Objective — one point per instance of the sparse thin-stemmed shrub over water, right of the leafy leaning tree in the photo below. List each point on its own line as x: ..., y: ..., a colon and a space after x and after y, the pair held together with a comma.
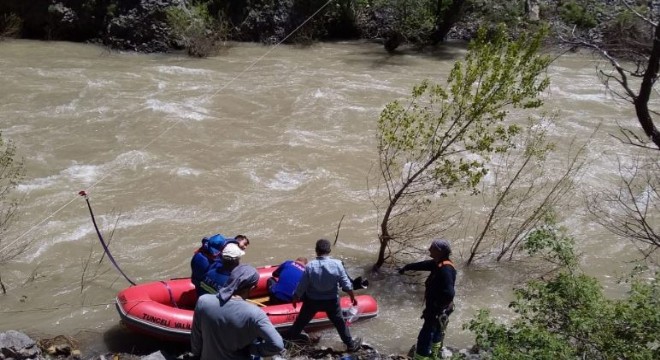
x: 523, y: 192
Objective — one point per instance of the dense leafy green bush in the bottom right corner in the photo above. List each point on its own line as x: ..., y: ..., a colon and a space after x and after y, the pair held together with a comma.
x: 568, y: 316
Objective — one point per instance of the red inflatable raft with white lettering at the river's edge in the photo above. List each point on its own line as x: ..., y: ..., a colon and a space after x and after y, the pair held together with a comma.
x: 164, y: 309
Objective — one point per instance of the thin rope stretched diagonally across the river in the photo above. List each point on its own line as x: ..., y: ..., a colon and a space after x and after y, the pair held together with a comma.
x: 167, y: 129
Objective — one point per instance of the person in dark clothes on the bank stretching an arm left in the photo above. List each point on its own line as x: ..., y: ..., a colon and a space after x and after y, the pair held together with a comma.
x: 438, y: 296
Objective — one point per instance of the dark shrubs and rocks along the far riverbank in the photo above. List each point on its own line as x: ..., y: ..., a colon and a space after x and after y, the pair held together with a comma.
x: 206, y: 27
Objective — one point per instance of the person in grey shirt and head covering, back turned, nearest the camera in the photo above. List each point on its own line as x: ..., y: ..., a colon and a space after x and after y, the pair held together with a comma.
x: 225, y: 326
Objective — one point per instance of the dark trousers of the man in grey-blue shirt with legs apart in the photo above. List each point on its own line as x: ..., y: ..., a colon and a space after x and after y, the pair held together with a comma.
x: 332, y: 309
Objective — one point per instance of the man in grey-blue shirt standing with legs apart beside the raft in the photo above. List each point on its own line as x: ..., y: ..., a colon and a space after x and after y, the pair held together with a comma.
x: 319, y: 290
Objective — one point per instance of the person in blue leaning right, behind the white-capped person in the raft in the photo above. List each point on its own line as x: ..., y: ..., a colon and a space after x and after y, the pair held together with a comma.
x: 209, y: 253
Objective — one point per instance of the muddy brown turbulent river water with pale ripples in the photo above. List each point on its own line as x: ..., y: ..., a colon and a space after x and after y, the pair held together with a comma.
x: 274, y: 143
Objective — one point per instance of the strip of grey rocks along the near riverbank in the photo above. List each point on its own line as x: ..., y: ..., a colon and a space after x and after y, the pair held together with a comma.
x: 15, y: 345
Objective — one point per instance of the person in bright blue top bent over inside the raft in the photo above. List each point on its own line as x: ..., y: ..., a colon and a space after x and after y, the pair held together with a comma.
x: 285, y: 280
